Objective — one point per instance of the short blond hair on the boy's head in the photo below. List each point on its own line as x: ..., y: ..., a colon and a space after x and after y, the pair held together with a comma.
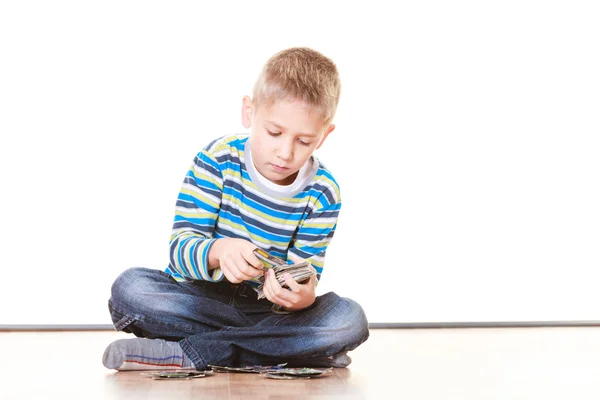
x: 300, y: 73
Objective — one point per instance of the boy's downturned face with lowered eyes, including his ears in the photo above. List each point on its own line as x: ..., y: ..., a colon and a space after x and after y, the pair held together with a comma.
x: 283, y: 136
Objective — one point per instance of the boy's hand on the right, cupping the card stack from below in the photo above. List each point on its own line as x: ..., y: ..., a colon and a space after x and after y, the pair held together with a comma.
x: 297, y: 297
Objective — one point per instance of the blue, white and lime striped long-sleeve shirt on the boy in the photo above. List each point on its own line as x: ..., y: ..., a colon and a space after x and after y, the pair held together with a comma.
x: 222, y: 197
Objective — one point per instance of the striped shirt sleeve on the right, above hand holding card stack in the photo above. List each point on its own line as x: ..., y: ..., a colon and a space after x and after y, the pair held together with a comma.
x: 315, y: 233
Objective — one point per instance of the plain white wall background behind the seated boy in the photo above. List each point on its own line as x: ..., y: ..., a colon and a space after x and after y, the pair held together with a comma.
x: 467, y: 148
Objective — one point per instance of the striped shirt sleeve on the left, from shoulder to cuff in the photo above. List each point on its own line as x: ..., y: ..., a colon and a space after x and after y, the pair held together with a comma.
x: 196, y: 211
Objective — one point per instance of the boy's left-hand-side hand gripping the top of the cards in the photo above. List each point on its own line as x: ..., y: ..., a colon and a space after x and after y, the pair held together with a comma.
x: 236, y: 258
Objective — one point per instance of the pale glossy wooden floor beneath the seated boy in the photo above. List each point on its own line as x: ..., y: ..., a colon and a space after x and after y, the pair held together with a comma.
x: 509, y: 363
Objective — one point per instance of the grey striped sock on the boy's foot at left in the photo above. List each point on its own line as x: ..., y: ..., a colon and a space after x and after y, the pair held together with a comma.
x: 145, y: 354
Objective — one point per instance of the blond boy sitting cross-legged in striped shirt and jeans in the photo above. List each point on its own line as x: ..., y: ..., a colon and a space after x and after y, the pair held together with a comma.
x: 265, y: 190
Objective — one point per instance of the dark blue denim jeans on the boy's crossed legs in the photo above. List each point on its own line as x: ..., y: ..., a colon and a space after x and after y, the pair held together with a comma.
x: 225, y: 324
